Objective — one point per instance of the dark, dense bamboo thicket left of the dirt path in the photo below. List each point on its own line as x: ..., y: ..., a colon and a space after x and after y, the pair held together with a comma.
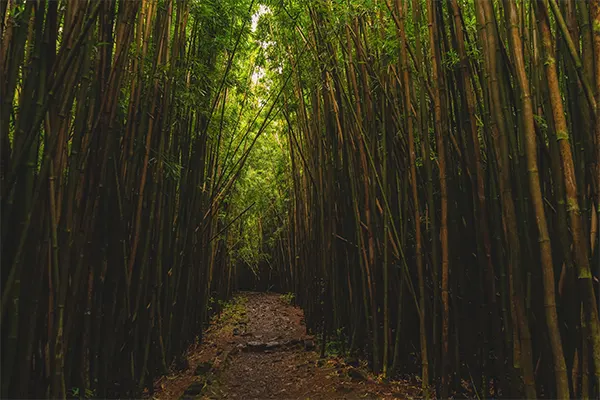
x: 112, y: 188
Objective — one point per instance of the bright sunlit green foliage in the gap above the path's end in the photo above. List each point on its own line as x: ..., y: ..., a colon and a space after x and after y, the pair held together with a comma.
x: 263, y: 183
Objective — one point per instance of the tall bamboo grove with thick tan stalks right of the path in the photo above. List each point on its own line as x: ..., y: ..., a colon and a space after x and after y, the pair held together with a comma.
x: 444, y: 163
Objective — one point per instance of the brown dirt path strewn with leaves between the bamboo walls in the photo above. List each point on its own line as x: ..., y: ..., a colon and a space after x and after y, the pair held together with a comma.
x: 257, y: 348
